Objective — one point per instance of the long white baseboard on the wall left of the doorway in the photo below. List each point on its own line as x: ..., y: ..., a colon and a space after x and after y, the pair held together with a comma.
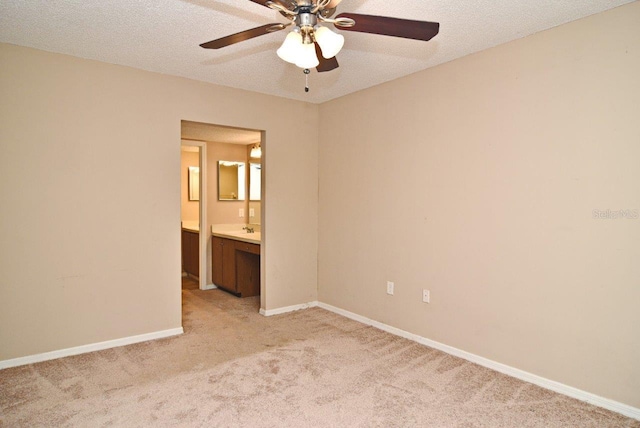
x: 30, y: 359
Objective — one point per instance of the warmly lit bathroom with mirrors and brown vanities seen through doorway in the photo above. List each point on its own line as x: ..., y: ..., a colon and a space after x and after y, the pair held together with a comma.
x: 221, y: 207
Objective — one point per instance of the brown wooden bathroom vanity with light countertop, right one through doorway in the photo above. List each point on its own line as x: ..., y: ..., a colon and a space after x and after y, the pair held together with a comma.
x: 236, y: 262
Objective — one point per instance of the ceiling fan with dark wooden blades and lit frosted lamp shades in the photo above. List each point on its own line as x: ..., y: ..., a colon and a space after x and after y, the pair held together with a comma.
x: 311, y: 45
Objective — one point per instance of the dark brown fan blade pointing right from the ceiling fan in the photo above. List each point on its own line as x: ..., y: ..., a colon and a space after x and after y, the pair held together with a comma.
x: 405, y: 28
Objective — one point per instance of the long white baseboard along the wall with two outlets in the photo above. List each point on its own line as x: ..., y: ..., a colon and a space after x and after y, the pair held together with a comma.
x: 570, y: 391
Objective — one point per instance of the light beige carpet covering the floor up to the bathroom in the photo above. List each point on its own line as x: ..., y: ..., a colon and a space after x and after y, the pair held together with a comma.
x: 312, y: 368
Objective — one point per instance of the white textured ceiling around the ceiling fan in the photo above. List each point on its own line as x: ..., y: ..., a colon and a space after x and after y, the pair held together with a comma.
x: 164, y: 36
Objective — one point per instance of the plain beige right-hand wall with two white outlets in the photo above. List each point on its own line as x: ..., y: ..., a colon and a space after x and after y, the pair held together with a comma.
x: 477, y: 180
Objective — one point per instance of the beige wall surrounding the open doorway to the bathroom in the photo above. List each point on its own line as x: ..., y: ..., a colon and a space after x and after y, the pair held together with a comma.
x: 90, y: 238
